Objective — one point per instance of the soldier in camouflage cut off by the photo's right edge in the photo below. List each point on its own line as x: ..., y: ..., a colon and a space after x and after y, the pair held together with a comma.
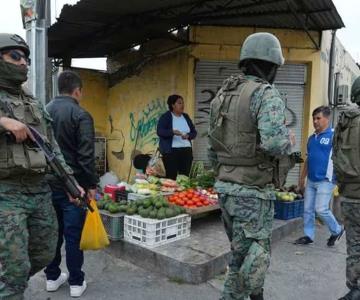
x: 349, y: 188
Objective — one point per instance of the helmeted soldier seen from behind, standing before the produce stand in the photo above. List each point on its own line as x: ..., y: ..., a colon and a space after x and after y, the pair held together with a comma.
x: 248, y: 138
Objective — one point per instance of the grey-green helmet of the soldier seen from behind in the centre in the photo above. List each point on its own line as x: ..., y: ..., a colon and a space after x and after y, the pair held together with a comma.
x: 262, y: 46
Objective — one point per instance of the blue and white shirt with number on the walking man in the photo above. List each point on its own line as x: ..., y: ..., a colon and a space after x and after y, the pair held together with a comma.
x: 319, y: 148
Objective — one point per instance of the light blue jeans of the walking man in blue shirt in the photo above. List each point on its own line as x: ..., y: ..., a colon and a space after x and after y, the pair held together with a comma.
x: 317, y: 199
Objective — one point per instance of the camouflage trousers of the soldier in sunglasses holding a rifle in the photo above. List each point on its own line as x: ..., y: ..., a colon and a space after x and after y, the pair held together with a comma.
x: 28, y: 237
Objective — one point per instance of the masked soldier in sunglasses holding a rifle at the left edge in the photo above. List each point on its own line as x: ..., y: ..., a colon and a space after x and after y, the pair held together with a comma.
x: 28, y: 231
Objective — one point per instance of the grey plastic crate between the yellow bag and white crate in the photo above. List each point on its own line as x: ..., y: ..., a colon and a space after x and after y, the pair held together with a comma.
x: 114, y: 224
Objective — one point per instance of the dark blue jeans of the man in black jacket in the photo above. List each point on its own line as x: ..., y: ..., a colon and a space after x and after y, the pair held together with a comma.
x: 71, y: 221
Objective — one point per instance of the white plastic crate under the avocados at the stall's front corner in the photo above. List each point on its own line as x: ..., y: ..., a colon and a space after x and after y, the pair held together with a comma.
x: 152, y: 233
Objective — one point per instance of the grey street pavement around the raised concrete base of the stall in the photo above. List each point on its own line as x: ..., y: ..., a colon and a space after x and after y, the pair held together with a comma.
x: 313, y: 272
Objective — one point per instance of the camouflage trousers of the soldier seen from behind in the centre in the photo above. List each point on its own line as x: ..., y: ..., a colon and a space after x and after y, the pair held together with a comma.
x: 248, y: 224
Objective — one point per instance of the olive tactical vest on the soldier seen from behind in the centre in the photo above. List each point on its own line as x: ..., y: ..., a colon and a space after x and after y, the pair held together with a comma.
x: 234, y: 136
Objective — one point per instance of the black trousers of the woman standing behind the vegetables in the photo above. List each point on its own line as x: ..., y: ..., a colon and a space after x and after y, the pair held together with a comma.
x: 178, y: 162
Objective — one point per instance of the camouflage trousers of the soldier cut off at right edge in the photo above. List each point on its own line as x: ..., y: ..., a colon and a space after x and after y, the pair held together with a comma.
x: 351, y: 213
